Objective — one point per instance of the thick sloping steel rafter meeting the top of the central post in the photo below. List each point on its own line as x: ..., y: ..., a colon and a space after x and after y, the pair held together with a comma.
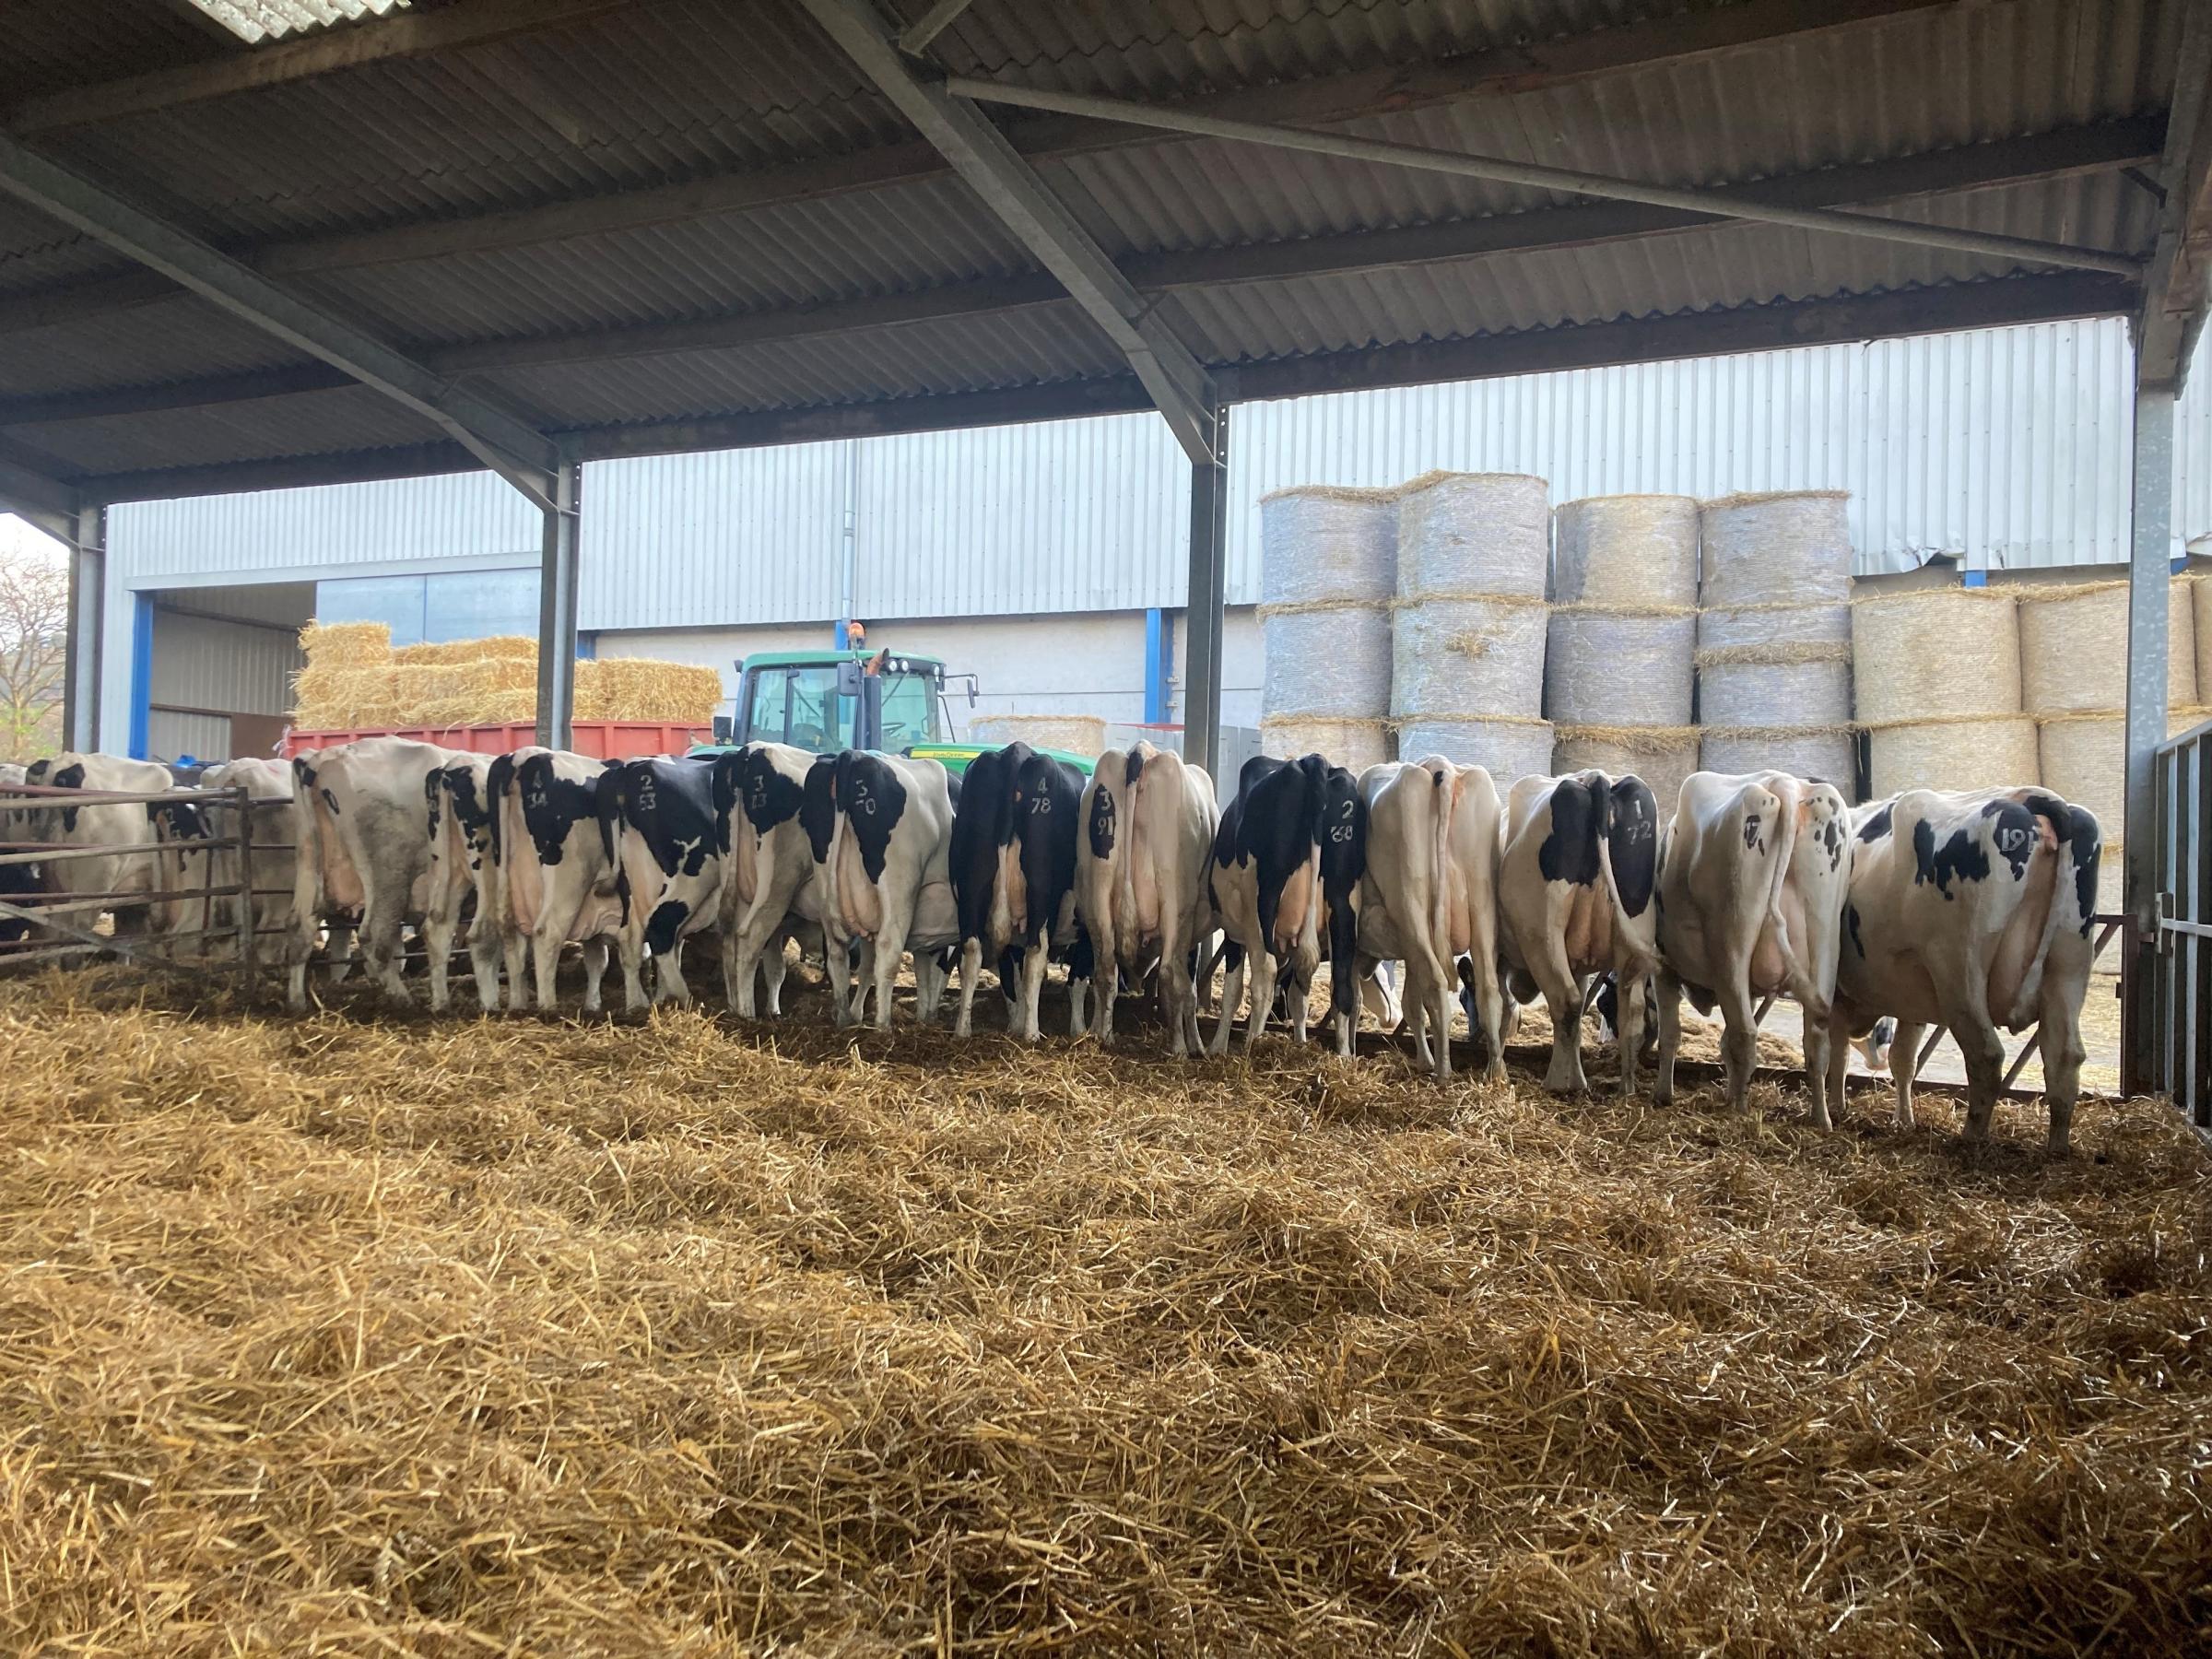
x: 1021, y: 200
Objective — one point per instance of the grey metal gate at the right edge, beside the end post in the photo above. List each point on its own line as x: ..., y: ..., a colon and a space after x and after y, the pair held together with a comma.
x: 2180, y: 1039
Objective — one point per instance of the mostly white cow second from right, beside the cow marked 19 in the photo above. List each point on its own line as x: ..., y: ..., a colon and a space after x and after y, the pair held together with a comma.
x: 1751, y: 904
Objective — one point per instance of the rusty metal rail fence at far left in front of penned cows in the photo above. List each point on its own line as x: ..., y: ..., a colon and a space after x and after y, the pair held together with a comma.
x: 154, y: 917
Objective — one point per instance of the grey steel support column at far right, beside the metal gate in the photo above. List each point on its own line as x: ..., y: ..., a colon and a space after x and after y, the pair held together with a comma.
x: 2149, y: 581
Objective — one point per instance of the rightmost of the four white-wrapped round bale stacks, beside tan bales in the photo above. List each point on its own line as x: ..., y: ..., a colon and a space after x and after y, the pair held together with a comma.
x: 1775, y: 636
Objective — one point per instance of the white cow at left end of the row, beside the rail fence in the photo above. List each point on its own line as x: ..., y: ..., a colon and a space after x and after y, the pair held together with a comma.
x: 364, y: 851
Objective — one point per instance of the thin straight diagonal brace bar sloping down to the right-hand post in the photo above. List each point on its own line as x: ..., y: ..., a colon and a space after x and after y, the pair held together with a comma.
x: 1545, y: 178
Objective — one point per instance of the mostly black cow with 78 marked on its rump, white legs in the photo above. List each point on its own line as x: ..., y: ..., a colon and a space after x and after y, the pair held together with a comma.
x: 1012, y: 866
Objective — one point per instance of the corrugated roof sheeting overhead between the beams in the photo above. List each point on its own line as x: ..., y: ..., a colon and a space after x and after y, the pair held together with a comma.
x: 669, y: 92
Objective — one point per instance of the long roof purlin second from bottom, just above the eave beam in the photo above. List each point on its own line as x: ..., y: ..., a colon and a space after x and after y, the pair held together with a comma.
x: 1976, y: 167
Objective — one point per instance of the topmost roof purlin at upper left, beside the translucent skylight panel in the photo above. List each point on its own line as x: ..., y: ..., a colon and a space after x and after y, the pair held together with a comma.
x: 408, y: 34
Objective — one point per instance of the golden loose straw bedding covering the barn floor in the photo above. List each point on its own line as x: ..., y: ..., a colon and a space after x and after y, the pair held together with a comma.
x: 510, y: 1337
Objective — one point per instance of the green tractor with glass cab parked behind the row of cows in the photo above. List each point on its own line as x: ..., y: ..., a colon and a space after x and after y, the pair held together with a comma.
x: 853, y: 700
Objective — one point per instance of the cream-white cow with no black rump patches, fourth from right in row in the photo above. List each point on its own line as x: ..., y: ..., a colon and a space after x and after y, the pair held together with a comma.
x: 1434, y: 835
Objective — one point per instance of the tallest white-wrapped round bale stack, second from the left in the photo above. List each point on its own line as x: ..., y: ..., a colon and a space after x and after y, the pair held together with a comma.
x: 1468, y: 649
